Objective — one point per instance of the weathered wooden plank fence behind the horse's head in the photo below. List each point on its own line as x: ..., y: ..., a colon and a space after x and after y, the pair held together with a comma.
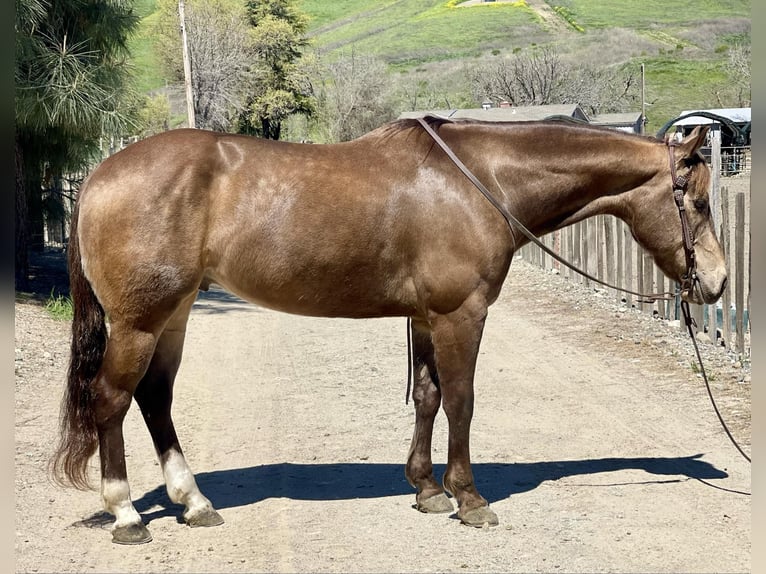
x: 604, y: 247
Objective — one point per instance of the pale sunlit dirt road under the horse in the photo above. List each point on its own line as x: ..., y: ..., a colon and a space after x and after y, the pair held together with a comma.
x: 593, y: 441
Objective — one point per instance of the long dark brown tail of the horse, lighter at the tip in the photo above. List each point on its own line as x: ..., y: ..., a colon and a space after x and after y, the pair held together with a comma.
x: 78, y: 433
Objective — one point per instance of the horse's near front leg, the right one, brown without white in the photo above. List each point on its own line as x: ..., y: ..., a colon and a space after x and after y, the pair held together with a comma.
x: 456, y: 338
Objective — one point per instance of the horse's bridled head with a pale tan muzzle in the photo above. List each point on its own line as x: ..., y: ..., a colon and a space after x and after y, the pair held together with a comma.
x: 681, y: 193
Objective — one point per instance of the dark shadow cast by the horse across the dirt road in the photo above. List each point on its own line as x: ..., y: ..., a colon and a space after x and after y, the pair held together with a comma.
x: 347, y: 481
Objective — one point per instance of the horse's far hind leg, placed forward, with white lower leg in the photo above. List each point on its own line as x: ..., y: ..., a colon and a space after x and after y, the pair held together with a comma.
x: 154, y: 396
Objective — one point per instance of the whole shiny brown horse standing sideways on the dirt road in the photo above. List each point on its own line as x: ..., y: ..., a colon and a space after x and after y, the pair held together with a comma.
x: 384, y: 225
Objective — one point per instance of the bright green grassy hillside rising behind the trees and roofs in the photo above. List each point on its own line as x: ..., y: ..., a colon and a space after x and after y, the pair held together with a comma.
x: 683, y: 44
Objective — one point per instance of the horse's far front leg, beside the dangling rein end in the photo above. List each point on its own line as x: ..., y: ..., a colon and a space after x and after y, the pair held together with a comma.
x: 427, y: 397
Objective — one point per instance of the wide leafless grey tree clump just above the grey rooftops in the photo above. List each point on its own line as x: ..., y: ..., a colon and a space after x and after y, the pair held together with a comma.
x: 542, y: 77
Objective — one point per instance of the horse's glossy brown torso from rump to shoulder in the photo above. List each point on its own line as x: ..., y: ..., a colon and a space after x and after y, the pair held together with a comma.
x: 359, y: 229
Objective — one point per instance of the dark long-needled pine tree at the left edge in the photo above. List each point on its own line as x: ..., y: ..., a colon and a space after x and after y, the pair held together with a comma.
x: 71, y: 87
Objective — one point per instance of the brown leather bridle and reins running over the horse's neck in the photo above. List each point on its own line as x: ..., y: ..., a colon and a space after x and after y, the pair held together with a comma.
x: 679, y: 184
